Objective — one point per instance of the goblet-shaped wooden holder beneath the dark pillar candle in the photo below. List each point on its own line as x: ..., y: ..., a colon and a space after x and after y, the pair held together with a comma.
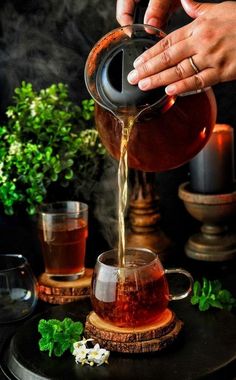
x: 216, y: 240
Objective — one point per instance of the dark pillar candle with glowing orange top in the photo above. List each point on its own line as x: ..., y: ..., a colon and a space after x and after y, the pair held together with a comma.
x: 212, y: 170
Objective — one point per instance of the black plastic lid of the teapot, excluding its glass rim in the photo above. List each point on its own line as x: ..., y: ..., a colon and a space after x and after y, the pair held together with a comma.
x: 112, y: 83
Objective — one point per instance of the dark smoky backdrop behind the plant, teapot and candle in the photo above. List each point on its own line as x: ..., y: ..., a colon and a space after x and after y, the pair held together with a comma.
x: 48, y: 41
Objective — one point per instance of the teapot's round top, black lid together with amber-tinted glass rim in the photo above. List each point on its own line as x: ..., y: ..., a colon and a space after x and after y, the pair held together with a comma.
x: 110, y: 62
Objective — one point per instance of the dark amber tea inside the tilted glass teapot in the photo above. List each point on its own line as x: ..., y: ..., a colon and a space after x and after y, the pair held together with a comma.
x: 162, y: 140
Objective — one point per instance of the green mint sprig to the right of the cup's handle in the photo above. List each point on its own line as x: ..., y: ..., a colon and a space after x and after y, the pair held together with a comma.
x: 210, y: 294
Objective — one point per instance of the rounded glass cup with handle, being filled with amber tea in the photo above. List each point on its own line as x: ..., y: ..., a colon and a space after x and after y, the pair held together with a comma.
x: 136, y: 294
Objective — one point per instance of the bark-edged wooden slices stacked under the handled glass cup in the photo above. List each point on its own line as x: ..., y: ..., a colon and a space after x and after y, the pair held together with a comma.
x: 153, y: 337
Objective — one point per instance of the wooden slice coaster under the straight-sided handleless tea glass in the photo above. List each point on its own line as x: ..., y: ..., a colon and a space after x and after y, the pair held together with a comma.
x: 55, y: 291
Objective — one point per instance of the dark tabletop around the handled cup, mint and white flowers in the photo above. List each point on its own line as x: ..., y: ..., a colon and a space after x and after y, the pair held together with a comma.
x: 205, y: 350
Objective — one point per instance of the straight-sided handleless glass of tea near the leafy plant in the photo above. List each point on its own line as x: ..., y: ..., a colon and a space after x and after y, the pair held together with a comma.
x: 63, y: 230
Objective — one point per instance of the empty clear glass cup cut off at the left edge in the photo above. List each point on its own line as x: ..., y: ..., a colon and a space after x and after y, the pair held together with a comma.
x: 18, y: 288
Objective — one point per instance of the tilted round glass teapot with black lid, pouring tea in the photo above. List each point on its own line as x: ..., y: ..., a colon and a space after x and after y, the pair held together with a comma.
x: 168, y: 131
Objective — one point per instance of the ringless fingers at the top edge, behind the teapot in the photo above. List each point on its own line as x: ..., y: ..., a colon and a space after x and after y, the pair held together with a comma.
x: 156, y: 14
